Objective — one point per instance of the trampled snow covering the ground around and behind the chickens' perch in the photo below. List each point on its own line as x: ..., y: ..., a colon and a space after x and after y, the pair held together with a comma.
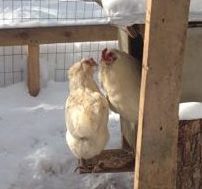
x: 33, y: 152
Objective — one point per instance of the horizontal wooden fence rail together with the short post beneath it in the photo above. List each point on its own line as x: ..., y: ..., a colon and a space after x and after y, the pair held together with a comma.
x: 35, y: 36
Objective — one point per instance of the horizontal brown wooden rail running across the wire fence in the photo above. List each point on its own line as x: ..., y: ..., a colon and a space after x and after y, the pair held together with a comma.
x: 60, y: 34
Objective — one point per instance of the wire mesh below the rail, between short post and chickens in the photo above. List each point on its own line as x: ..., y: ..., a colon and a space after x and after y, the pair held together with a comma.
x: 60, y: 56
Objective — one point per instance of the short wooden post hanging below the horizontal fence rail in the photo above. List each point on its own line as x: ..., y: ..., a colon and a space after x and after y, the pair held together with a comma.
x: 33, y: 75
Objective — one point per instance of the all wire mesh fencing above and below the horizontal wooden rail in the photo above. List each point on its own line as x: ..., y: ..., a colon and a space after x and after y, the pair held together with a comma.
x: 54, y: 58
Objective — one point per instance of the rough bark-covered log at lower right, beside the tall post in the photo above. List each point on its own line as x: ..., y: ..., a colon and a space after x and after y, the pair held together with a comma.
x: 189, y: 167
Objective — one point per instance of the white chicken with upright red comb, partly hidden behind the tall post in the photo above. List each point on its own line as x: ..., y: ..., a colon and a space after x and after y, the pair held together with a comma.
x: 120, y: 78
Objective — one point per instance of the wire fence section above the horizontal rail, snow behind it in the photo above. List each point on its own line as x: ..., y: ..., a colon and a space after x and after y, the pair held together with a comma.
x: 21, y: 12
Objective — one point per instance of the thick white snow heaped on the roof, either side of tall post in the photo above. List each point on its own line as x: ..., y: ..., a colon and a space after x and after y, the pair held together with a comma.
x: 128, y: 12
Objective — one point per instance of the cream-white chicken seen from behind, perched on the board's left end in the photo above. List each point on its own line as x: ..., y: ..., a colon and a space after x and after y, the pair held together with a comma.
x: 86, y: 112
